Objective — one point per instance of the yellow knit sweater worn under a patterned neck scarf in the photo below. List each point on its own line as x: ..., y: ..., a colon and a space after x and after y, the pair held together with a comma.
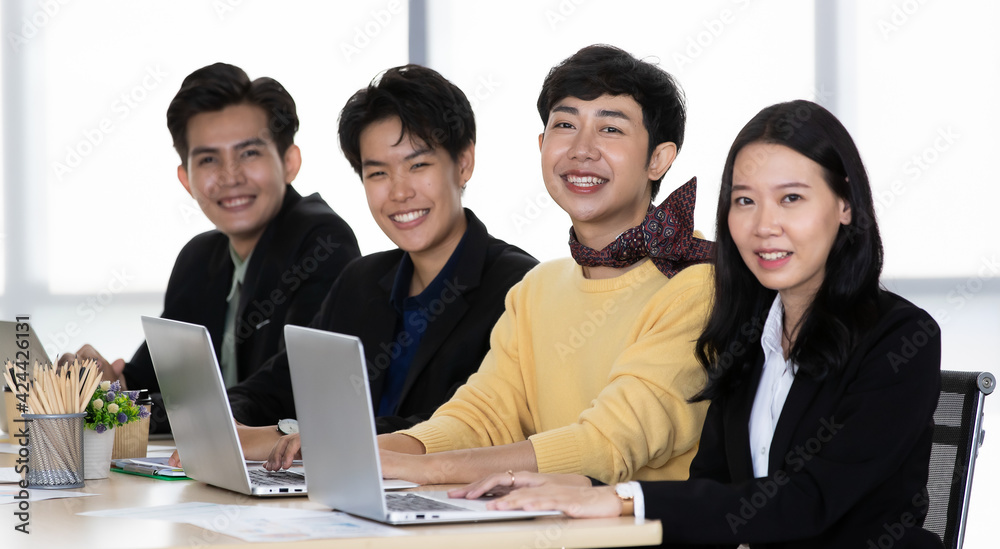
x: 596, y: 373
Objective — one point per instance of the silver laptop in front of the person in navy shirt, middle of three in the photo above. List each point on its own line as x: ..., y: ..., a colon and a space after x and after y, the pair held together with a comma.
x: 194, y: 396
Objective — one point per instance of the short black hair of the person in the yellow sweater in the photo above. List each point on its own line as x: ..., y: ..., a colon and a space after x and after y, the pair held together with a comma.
x: 601, y: 69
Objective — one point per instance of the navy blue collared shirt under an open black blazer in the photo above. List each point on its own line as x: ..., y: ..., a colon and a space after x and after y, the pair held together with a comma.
x: 414, y: 315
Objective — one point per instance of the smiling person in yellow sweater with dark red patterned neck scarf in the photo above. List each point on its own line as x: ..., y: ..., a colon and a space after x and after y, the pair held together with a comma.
x: 591, y: 366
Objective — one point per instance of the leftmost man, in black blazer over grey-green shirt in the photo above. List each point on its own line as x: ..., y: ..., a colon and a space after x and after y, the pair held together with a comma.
x: 273, y: 254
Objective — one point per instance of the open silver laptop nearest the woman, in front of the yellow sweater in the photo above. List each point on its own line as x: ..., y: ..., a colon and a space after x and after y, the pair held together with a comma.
x: 339, y: 447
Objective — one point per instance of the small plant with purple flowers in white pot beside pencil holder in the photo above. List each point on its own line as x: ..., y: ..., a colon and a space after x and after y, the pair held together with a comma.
x: 110, y: 407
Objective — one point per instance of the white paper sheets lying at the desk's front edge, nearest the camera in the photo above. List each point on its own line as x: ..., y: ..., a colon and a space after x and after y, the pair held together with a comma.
x: 258, y: 522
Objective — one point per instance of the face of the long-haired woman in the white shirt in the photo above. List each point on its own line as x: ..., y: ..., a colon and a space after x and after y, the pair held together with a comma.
x: 784, y: 219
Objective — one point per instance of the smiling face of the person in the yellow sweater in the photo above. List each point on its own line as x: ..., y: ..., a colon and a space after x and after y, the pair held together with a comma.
x: 594, y: 163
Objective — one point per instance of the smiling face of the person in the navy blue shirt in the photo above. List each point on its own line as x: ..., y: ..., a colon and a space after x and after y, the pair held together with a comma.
x: 414, y: 192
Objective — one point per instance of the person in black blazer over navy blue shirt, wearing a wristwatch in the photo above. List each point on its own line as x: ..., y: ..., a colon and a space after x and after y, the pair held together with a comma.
x: 424, y: 312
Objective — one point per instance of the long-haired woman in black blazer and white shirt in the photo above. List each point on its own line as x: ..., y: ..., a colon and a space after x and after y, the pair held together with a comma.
x: 823, y: 385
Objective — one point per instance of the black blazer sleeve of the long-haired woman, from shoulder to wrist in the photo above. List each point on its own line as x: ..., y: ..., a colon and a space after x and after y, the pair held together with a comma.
x: 872, y: 429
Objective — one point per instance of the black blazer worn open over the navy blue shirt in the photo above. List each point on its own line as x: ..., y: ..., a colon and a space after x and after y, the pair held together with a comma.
x: 360, y: 304
